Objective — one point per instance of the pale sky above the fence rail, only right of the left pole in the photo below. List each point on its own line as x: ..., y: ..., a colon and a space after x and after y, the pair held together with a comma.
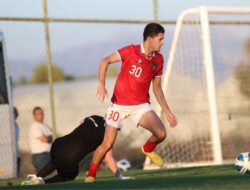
x: 138, y: 9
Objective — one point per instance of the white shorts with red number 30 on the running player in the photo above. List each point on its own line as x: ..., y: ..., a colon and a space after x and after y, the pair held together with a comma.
x: 117, y: 113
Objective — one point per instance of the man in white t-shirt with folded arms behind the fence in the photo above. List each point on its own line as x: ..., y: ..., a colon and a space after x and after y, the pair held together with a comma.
x: 40, y: 138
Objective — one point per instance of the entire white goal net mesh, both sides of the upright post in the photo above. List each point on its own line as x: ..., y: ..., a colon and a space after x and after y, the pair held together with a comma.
x: 186, y: 92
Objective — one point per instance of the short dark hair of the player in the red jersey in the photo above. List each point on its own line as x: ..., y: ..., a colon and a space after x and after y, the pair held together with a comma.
x: 152, y: 29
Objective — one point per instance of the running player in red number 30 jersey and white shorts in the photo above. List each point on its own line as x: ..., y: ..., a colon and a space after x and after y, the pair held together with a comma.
x: 141, y: 65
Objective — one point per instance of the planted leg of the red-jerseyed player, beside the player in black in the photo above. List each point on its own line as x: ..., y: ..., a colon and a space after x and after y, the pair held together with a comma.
x: 108, y: 141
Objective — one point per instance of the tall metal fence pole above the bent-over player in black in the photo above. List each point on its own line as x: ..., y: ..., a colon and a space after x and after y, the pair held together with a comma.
x: 49, y: 64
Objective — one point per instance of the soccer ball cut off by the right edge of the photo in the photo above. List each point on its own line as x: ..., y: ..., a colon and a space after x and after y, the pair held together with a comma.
x: 242, y: 163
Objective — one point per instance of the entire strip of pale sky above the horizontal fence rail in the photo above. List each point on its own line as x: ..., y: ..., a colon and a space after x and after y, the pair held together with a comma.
x: 138, y: 9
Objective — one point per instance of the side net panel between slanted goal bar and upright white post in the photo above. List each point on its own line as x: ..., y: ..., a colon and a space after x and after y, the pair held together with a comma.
x: 187, y: 95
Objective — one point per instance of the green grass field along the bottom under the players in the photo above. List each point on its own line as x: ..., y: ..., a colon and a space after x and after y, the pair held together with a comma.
x: 212, y: 177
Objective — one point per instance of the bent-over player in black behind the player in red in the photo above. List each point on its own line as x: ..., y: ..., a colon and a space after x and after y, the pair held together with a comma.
x: 67, y: 151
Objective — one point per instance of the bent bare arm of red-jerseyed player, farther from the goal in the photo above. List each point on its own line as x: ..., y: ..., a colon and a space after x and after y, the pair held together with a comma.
x: 102, y: 92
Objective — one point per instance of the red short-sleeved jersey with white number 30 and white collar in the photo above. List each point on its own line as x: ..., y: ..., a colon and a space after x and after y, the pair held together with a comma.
x: 137, y: 71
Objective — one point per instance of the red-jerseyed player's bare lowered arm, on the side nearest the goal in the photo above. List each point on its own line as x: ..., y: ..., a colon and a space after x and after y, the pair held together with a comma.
x: 162, y: 101
